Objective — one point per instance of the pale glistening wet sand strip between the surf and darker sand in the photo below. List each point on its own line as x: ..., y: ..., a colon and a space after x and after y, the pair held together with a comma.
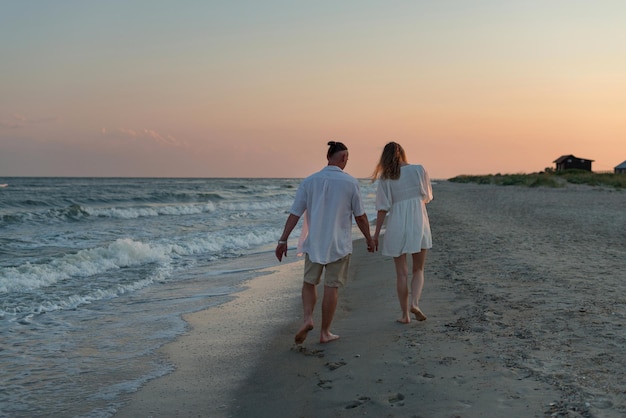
x: 222, y: 344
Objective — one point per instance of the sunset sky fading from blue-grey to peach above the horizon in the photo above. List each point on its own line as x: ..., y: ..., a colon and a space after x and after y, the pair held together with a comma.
x: 257, y: 88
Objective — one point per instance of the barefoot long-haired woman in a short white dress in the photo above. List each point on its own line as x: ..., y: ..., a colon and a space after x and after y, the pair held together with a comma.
x: 403, y: 191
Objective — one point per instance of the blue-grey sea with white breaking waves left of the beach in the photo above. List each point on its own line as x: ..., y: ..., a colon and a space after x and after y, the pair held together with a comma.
x: 96, y: 273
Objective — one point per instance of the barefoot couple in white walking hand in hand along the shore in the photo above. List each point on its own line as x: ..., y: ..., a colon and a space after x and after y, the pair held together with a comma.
x: 329, y: 199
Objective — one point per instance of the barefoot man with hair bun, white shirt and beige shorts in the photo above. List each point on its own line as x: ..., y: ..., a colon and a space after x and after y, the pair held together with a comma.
x: 328, y: 199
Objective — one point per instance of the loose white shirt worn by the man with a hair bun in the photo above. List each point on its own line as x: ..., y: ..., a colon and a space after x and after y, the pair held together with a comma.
x: 328, y: 199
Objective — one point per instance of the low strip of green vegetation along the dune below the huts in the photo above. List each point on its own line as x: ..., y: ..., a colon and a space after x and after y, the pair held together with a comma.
x: 548, y: 178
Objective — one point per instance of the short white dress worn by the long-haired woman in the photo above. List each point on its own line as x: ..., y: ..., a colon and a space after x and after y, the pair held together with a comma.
x: 407, y: 229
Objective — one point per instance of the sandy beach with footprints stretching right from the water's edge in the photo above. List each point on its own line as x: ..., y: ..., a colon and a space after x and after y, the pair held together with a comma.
x: 526, y: 303
